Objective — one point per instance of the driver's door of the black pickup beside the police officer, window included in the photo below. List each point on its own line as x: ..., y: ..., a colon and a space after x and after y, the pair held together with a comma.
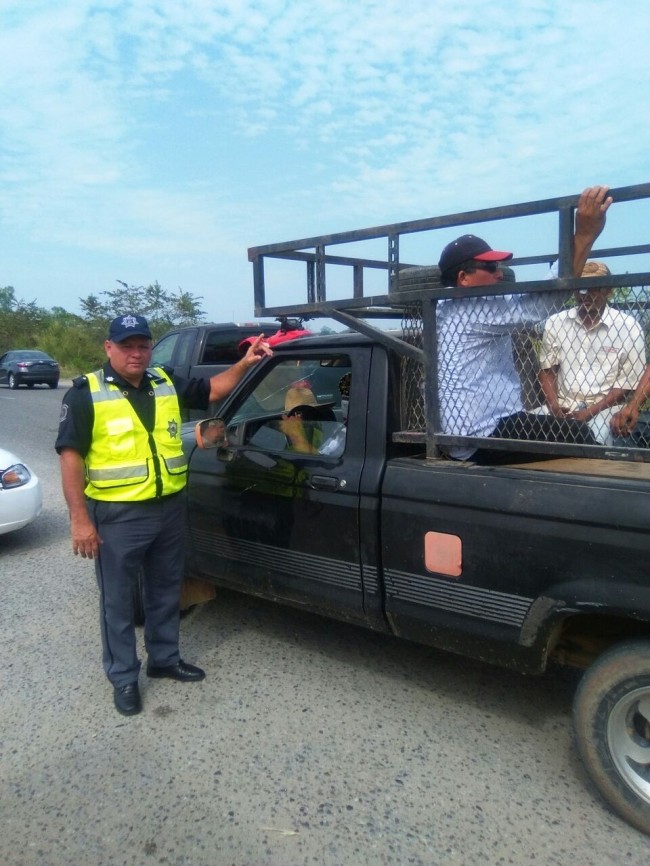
x: 275, y: 511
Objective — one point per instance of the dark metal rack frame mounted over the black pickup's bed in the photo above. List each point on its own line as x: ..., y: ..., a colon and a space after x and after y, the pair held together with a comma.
x: 353, y: 311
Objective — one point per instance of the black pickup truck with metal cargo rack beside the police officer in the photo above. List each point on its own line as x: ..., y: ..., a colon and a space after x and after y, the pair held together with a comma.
x: 517, y: 564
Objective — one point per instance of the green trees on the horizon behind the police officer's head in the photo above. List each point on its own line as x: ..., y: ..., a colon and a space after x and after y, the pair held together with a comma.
x: 76, y: 340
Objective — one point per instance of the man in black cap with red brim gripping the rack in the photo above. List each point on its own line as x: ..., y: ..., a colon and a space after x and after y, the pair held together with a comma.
x: 479, y: 388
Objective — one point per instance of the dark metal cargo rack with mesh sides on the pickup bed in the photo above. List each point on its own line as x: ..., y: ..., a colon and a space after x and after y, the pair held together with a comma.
x: 413, y: 290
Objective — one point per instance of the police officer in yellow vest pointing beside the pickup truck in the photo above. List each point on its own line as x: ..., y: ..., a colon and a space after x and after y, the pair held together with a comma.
x: 123, y: 472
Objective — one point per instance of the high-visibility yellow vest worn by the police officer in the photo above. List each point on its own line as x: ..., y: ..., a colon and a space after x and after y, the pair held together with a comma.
x: 126, y: 463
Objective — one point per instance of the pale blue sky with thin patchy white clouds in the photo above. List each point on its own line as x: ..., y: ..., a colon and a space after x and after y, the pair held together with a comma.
x: 146, y: 140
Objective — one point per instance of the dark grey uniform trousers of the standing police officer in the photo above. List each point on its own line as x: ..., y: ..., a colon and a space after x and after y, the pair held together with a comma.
x: 139, y: 535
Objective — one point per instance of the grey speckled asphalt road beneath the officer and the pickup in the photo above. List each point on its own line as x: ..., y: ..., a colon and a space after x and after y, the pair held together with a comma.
x: 310, y: 741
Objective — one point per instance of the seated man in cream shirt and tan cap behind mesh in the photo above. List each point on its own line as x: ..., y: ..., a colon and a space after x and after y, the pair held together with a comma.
x: 592, y: 357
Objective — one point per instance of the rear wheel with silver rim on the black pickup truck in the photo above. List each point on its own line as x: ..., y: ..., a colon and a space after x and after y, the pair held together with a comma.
x: 611, y: 717
